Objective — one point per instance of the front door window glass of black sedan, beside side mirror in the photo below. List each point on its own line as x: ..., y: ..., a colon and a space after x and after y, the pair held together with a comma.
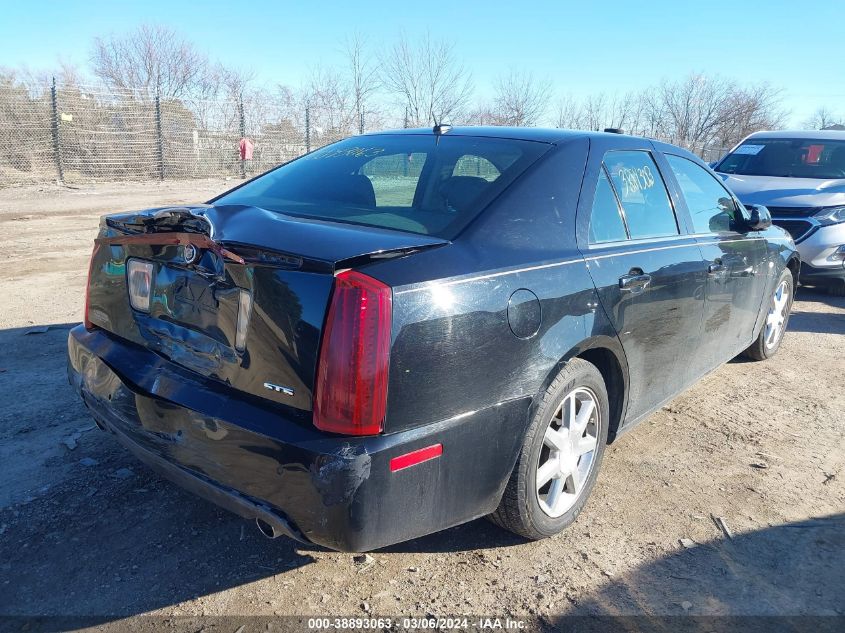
x: 710, y: 205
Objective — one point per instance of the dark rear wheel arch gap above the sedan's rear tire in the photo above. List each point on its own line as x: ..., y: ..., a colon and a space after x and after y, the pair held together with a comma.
x: 607, y: 355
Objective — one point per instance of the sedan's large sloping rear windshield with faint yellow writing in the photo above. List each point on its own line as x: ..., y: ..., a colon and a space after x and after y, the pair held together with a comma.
x: 422, y: 184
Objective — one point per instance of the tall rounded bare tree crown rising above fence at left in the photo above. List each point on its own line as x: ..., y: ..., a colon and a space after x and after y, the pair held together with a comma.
x: 150, y: 58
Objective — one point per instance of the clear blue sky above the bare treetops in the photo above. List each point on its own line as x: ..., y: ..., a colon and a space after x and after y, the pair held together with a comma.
x: 582, y: 47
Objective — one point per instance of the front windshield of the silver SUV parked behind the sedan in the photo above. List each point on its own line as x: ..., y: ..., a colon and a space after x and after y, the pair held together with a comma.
x: 796, y: 158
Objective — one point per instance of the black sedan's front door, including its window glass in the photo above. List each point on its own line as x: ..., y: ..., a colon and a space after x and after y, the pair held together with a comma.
x: 735, y: 260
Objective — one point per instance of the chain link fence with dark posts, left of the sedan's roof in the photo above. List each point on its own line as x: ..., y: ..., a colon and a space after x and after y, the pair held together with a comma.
x: 77, y: 134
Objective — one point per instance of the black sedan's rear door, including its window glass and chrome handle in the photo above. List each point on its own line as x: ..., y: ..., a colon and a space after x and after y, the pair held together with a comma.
x: 649, y: 273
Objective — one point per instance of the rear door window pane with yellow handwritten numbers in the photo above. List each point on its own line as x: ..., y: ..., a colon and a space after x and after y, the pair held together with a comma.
x: 643, y: 194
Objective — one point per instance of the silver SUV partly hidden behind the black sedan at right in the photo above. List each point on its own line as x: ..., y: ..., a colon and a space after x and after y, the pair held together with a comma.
x: 800, y: 177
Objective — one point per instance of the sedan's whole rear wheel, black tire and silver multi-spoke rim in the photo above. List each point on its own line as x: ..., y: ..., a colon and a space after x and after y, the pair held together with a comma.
x: 560, y: 457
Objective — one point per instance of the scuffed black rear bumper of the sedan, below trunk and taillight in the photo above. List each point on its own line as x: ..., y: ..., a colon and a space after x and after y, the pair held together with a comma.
x: 256, y: 461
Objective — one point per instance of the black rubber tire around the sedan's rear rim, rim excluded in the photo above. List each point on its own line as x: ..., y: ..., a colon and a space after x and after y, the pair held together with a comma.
x: 519, y: 510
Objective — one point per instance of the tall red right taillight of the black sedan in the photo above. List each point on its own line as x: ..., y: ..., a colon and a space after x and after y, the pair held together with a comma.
x: 351, y: 389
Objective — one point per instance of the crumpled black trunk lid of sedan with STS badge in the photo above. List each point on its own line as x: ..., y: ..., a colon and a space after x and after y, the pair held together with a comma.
x: 209, y: 267
